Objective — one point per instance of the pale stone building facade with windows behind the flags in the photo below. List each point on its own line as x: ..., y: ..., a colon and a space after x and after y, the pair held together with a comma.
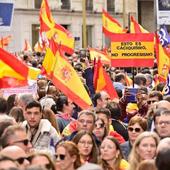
x: 68, y: 13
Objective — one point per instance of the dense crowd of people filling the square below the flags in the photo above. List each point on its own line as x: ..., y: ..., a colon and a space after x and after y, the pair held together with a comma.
x: 49, y: 131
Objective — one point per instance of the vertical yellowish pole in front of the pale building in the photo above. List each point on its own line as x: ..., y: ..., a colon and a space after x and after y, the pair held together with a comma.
x: 84, y: 23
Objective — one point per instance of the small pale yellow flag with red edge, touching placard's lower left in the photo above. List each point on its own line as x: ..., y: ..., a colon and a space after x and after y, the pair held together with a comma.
x: 96, y: 54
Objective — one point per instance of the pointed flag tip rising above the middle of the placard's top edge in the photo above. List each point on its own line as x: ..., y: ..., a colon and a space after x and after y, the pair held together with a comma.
x: 135, y: 27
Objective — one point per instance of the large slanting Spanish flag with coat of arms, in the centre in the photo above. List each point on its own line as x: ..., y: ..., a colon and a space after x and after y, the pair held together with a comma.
x: 67, y: 80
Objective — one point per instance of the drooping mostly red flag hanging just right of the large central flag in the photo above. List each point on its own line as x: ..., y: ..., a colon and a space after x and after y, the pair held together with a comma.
x: 102, y: 81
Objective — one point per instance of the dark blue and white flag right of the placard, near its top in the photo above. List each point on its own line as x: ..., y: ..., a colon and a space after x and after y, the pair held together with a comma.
x: 164, y: 37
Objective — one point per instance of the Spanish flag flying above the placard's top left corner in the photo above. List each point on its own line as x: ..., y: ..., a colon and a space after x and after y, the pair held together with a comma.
x: 110, y: 25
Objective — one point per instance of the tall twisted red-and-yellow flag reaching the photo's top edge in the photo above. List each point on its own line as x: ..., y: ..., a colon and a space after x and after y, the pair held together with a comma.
x: 52, y: 29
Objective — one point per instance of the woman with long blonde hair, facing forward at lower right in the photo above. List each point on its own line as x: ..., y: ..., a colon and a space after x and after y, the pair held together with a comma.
x: 144, y: 148
